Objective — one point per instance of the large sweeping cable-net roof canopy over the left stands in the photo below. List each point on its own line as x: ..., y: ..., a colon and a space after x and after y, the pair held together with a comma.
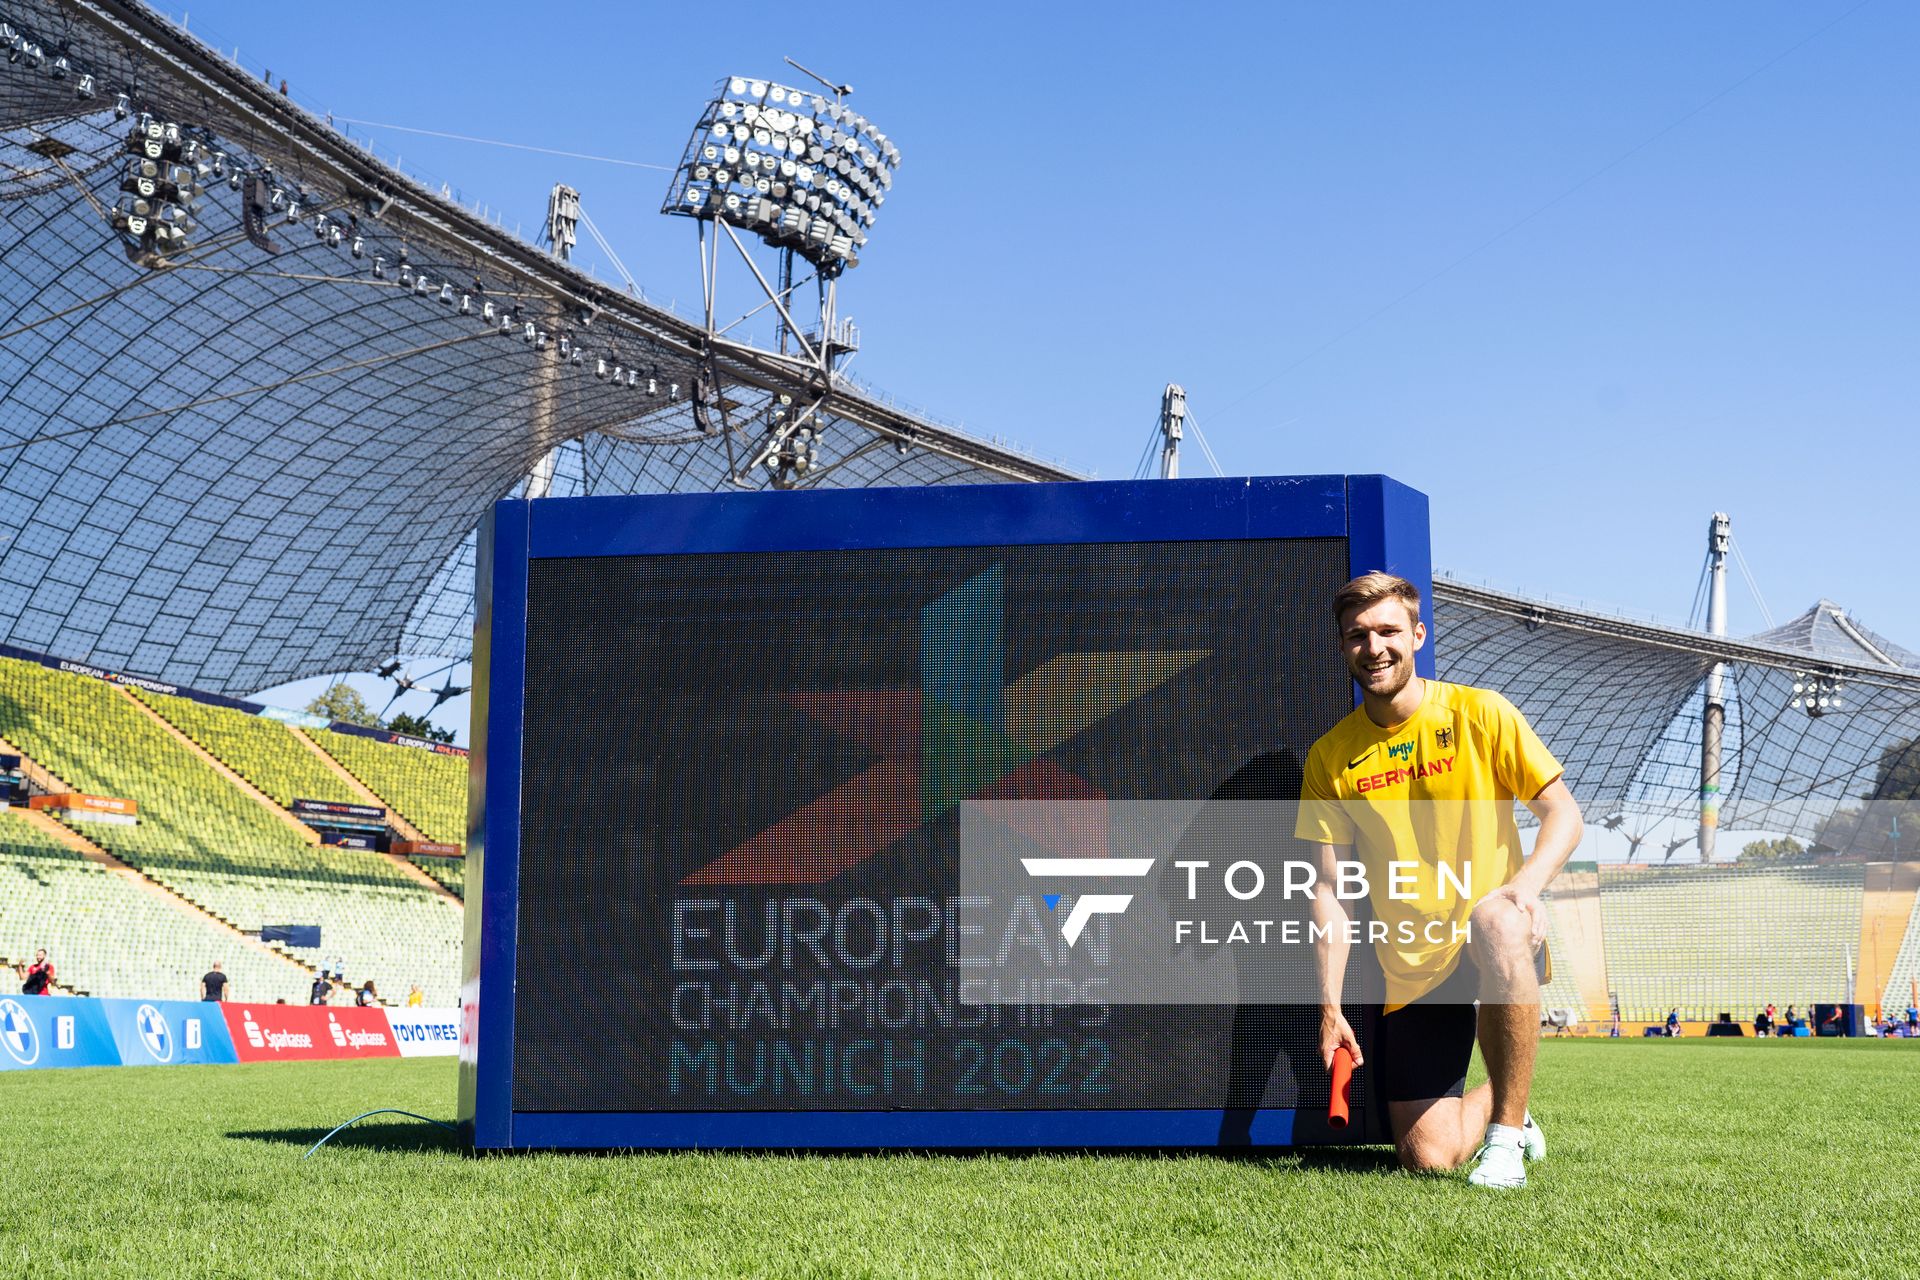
x: 266, y: 456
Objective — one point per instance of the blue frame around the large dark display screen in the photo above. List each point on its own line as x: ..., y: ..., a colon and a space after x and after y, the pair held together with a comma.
x: 1383, y: 521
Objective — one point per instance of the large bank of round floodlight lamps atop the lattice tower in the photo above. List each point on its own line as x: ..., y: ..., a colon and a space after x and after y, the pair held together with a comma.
x: 804, y: 172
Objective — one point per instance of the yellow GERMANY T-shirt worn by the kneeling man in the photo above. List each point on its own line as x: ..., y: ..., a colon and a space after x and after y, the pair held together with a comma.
x: 1428, y: 805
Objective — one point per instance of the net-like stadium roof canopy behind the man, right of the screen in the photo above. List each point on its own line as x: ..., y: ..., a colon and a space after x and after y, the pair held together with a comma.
x: 1623, y: 705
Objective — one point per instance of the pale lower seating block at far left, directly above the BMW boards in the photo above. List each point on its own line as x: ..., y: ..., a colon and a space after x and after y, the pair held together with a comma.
x: 110, y: 937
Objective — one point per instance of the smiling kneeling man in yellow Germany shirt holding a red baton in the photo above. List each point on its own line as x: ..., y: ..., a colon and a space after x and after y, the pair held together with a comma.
x: 1420, y: 784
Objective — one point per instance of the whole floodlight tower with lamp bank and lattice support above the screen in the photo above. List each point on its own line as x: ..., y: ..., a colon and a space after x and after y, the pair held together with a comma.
x: 804, y: 174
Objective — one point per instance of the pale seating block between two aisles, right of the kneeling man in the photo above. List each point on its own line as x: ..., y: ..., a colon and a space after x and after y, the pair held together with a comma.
x: 1729, y: 937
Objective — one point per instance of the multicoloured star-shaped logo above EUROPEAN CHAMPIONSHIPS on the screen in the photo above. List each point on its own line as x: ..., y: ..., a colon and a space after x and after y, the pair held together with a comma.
x: 965, y: 734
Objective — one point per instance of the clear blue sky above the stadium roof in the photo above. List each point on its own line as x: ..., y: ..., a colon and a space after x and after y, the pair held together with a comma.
x: 1270, y: 204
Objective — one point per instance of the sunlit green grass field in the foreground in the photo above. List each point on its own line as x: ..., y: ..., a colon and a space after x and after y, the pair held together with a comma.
x: 1668, y: 1160
